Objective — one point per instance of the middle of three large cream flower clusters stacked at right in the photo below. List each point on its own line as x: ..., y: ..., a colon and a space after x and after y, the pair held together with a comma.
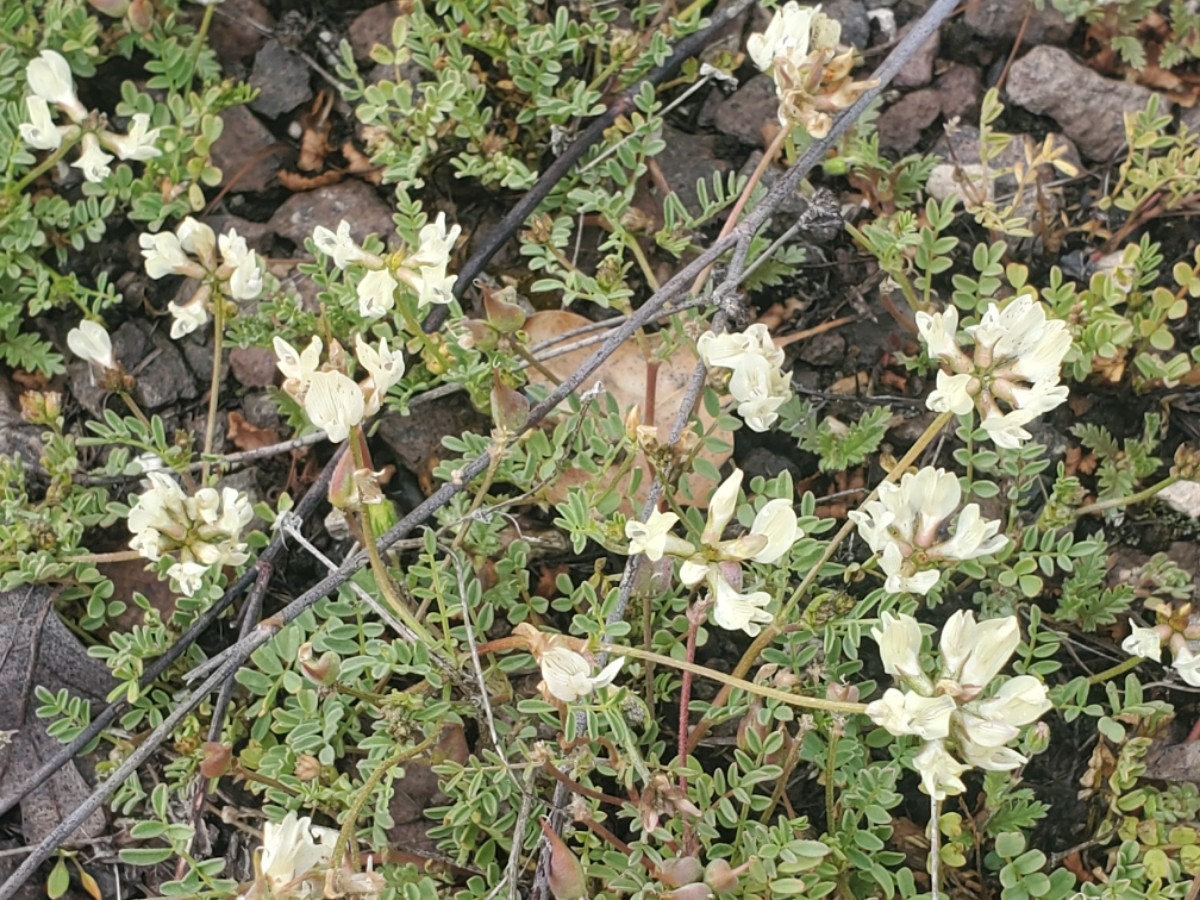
x: 904, y: 527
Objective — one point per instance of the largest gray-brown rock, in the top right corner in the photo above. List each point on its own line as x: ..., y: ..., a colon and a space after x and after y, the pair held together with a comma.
x: 1088, y: 107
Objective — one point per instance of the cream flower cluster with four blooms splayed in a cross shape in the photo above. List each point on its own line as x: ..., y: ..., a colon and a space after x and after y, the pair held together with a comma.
x: 718, y: 563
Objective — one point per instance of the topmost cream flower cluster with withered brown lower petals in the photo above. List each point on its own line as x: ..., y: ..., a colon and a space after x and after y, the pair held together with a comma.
x: 800, y: 51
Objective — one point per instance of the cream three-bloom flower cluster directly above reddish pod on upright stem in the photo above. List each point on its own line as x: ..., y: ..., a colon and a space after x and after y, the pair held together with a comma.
x: 335, y: 404
